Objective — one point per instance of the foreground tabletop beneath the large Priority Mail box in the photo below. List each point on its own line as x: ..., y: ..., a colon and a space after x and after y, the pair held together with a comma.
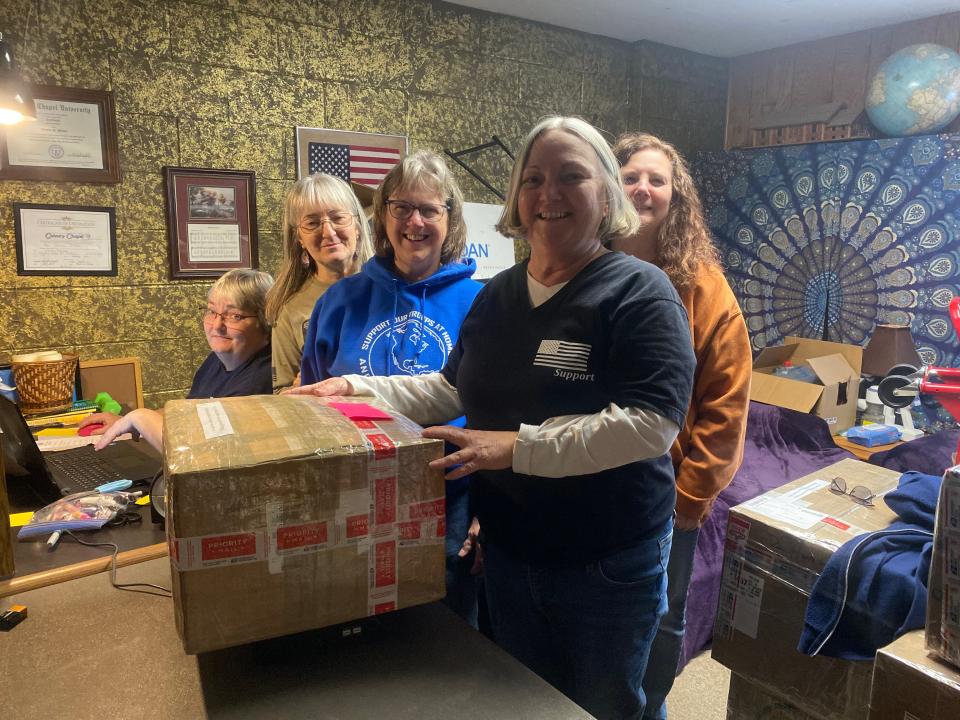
x: 87, y: 650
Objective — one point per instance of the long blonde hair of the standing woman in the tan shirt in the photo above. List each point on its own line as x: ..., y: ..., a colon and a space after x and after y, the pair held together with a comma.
x: 312, y: 191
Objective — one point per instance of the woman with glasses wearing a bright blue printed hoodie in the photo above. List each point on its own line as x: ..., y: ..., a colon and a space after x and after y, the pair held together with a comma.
x: 401, y: 314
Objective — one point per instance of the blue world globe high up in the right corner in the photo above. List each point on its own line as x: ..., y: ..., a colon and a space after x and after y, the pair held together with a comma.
x: 915, y: 91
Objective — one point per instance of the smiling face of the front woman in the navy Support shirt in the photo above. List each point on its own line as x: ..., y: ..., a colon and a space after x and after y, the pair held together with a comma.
x: 562, y: 199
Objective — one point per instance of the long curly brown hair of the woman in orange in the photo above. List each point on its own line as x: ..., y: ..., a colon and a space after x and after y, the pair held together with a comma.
x: 683, y: 242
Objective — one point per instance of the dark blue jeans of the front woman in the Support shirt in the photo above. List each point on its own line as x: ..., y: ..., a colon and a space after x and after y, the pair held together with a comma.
x: 586, y: 628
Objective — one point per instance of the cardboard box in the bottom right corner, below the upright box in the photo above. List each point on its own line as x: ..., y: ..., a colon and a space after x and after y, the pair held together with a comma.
x: 908, y: 684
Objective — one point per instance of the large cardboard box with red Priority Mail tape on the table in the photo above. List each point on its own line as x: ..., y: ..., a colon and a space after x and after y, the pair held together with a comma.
x: 284, y: 515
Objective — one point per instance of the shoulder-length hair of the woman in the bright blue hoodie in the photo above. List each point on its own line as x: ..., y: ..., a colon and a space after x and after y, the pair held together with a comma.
x: 422, y: 170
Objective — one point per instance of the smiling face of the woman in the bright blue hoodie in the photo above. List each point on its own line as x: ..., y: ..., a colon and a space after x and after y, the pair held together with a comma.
x: 416, y: 243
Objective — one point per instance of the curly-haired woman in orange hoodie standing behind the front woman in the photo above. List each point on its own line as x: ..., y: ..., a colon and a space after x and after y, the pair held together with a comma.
x: 709, y: 449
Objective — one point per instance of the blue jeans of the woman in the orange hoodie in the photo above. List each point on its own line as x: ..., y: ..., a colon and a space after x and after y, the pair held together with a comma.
x: 668, y: 644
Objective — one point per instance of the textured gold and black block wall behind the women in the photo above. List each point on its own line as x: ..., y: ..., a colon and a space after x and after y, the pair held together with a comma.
x: 224, y: 83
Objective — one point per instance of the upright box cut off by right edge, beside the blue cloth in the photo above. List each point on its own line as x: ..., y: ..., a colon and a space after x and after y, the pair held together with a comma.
x: 943, y: 596
